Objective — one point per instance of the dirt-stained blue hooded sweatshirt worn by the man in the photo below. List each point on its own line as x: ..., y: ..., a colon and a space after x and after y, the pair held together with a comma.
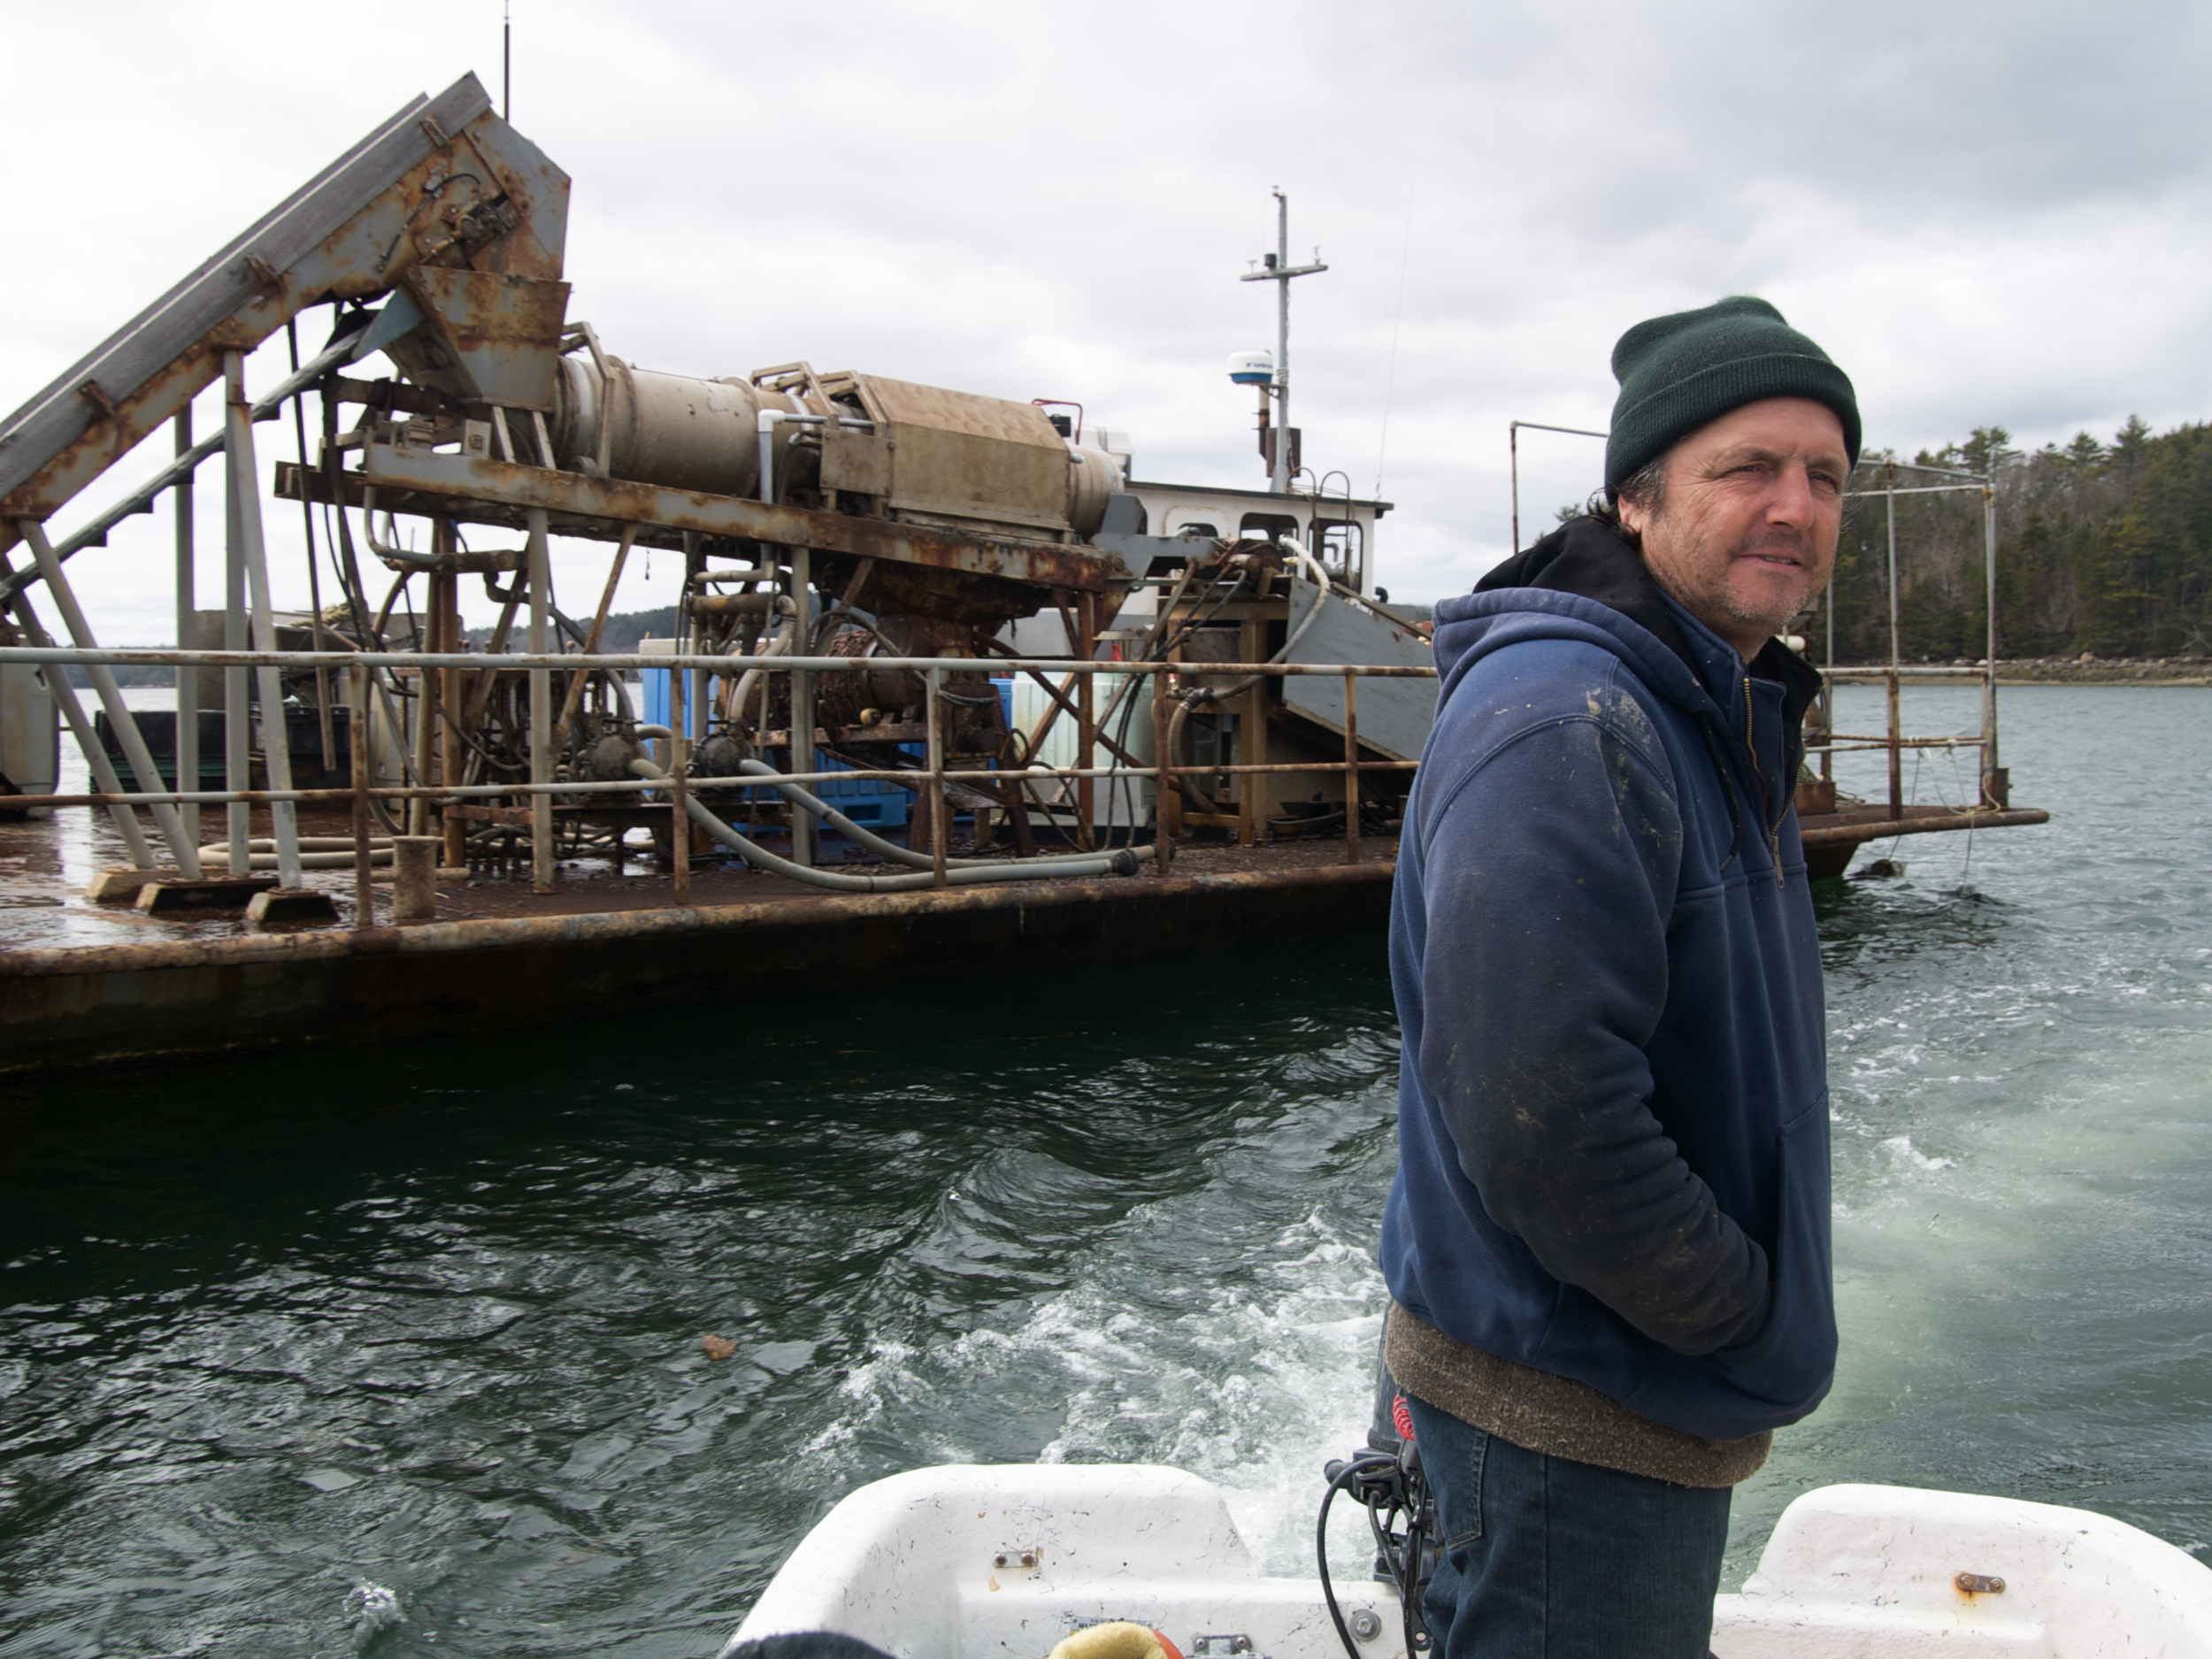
x: 1614, y: 1085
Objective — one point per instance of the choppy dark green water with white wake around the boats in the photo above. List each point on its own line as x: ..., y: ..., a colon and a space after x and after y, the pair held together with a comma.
x: 399, y: 1350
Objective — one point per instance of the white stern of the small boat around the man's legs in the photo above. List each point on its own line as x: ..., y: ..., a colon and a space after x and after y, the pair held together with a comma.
x: 1001, y: 1563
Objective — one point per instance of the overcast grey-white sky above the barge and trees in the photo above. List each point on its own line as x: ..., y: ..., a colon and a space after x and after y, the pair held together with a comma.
x: 1985, y: 213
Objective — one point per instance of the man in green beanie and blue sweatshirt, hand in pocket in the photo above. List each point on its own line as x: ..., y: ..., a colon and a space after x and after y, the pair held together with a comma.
x: 1609, y: 1238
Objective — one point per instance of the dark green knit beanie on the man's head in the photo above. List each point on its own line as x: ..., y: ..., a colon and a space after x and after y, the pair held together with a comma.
x: 1678, y: 373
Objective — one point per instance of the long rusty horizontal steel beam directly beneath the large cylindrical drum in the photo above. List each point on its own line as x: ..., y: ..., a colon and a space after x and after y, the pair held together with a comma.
x: 614, y: 503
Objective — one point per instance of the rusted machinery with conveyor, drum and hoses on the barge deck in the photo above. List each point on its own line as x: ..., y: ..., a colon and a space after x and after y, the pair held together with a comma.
x: 820, y: 517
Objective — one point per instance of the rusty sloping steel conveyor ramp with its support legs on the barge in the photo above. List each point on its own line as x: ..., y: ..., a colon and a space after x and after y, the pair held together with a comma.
x: 444, y: 207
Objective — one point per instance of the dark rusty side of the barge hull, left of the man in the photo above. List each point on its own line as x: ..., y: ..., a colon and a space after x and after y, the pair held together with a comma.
x: 74, y: 1008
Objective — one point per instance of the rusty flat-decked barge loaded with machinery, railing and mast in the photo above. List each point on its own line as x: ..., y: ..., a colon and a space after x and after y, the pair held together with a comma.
x: 950, y: 689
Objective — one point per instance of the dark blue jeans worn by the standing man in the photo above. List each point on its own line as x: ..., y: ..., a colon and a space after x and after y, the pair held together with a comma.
x: 1550, y: 1558
